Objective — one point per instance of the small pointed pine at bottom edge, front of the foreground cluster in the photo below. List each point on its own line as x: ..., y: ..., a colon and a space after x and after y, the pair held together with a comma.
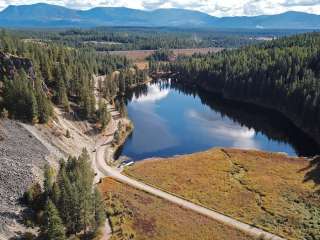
x: 54, y: 226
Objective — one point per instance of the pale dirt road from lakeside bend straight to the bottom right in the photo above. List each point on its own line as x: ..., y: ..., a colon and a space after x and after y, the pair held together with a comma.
x: 105, y: 170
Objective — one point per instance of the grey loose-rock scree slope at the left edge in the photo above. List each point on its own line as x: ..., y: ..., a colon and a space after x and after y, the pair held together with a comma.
x: 21, y: 156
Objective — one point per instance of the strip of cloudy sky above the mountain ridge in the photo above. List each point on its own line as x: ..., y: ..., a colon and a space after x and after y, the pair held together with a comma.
x: 213, y: 7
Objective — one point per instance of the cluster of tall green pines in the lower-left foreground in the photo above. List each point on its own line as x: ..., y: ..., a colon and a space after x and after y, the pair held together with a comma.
x: 68, y: 205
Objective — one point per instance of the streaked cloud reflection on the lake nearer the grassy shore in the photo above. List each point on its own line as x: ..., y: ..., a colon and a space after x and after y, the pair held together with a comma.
x: 224, y: 129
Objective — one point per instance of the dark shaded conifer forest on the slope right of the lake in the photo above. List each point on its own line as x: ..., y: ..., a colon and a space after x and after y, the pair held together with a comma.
x: 281, y: 74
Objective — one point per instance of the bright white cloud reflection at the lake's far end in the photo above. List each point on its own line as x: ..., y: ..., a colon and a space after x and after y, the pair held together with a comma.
x: 154, y: 94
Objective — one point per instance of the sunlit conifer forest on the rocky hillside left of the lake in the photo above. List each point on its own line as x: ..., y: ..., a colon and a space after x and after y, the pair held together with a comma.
x: 34, y: 75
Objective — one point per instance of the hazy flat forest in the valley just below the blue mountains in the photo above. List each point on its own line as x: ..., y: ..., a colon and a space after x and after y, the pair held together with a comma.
x: 121, y: 38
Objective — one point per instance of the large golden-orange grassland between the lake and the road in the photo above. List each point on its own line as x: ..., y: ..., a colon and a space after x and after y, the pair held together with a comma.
x: 267, y: 190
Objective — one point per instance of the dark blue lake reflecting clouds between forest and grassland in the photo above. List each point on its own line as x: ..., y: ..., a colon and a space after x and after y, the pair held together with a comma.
x: 171, y: 120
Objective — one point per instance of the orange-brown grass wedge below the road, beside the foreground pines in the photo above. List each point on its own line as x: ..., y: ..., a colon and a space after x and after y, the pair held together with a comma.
x: 153, y: 218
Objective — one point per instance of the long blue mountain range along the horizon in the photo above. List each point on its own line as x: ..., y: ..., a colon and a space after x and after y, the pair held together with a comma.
x: 46, y: 15
